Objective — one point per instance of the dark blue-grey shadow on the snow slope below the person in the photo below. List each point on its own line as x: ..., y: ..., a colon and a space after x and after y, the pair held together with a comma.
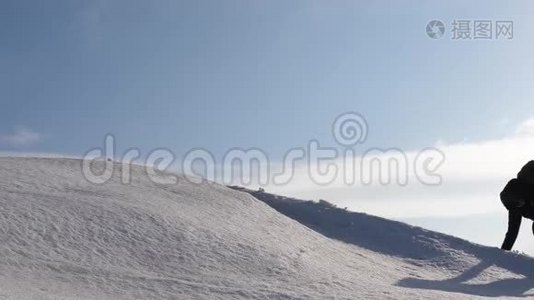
x: 413, y: 244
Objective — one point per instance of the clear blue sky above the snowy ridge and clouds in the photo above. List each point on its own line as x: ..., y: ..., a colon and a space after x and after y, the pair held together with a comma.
x: 267, y: 74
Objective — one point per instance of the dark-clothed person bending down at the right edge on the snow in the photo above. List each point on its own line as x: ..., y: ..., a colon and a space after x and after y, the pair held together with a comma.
x: 518, y: 197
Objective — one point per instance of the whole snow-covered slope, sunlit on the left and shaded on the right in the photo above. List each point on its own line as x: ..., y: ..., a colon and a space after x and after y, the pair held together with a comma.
x: 62, y: 237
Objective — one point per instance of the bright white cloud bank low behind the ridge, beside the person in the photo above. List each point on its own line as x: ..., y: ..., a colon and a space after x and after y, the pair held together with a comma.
x: 473, y: 174
